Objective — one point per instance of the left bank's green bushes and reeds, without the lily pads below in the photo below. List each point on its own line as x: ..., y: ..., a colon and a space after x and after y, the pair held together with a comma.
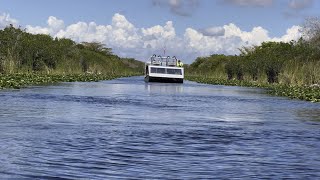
x: 22, y: 52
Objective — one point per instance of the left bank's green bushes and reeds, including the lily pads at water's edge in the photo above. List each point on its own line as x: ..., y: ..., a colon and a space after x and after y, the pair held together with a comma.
x: 31, y: 59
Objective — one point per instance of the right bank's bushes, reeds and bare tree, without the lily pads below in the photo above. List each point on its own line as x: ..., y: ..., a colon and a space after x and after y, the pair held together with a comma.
x: 292, y: 63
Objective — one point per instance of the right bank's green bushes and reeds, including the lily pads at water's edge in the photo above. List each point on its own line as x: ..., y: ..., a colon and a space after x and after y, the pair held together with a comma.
x: 286, y: 69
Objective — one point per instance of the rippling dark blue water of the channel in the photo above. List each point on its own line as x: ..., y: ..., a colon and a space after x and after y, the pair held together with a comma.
x: 126, y: 128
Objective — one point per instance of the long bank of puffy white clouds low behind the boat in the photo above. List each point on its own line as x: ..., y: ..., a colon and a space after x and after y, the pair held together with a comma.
x: 127, y: 40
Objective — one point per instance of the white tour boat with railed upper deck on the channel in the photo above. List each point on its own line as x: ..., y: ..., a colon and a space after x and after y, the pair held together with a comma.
x: 163, y: 69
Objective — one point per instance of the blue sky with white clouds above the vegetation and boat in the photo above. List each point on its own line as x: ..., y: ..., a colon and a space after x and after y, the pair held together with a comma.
x: 186, y: 29
